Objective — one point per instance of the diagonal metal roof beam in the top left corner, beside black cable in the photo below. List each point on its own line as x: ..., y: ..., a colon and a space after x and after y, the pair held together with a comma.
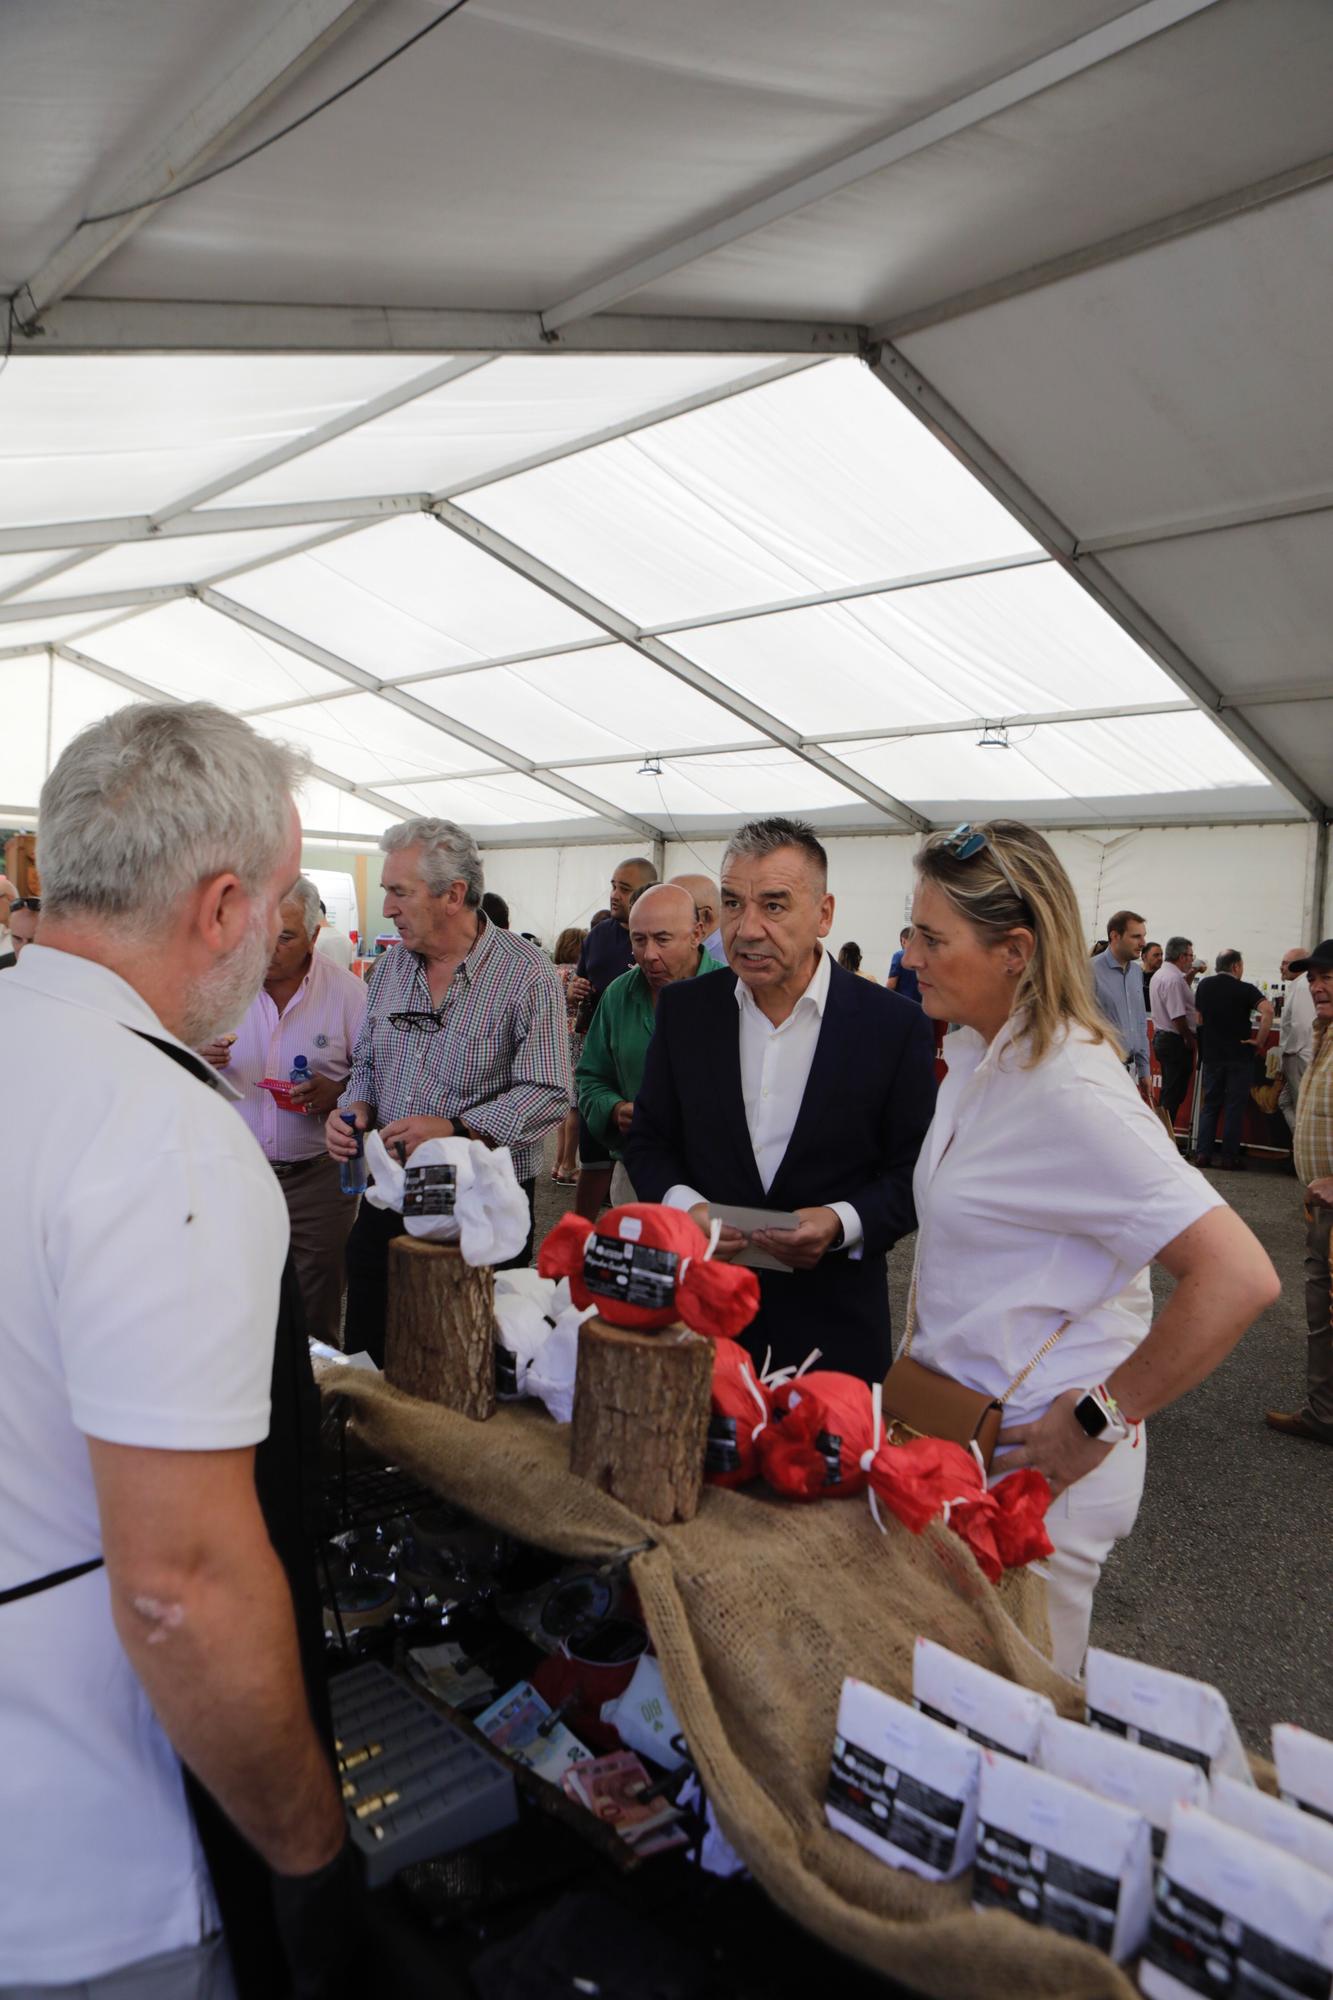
x: 291, y: 45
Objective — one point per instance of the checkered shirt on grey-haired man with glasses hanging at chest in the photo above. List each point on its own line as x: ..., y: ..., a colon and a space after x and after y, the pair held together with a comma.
x: 499, y: 1061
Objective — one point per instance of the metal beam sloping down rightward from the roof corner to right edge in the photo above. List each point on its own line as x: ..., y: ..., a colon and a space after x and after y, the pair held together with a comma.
x: 1090, y: 573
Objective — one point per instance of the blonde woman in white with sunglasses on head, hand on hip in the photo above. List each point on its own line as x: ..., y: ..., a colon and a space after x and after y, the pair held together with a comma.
x: 1044, y: 1193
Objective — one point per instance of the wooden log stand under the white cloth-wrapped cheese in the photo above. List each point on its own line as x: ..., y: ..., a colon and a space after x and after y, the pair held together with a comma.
x: 439, y: 1327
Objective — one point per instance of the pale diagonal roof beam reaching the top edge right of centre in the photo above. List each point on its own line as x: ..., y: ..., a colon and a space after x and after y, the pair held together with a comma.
x: 900, y: 143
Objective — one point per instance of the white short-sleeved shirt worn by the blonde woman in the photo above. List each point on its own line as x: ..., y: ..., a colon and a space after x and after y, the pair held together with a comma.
x: 1042, y: 1197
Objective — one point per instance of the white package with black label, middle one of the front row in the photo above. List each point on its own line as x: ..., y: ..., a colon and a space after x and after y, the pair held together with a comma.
x: 1062, y: 1857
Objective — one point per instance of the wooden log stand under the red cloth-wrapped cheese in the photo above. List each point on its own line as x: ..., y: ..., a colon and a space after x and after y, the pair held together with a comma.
x: 641, y: 1417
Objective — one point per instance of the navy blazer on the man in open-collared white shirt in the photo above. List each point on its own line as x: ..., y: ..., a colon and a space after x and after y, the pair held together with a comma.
x: 866, y: 1111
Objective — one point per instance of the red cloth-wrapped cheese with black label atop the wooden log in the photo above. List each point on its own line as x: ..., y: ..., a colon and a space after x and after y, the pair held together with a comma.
x: 647, y: 1267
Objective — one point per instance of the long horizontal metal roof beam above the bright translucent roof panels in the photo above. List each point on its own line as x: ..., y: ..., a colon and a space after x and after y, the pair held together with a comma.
x: 197, y: 327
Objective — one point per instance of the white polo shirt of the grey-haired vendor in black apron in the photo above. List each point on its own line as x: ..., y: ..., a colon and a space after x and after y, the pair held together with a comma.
x: 145, y: 1241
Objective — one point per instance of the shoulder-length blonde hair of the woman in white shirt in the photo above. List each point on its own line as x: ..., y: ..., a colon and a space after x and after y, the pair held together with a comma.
x: 1018, y: 883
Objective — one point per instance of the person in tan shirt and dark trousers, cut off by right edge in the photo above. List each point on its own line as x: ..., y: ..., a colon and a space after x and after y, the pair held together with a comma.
x: 1312, y: 1143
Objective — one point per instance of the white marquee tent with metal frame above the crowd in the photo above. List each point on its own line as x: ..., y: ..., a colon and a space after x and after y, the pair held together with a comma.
x: 607, y: 423
